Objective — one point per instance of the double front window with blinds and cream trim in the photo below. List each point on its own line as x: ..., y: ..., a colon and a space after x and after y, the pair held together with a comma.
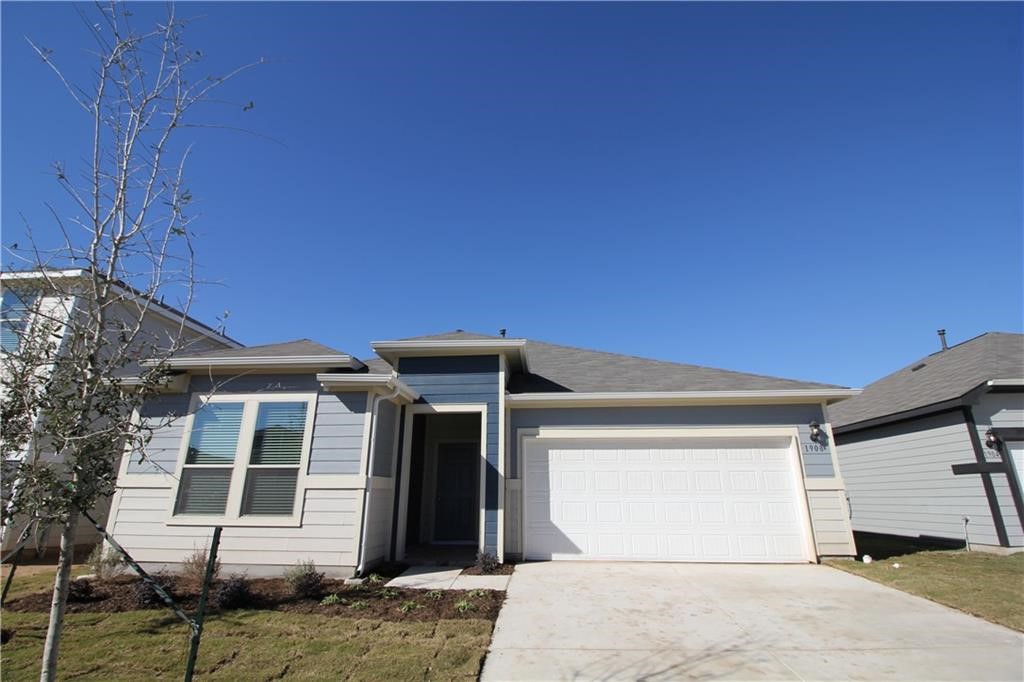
x: 244, y: 457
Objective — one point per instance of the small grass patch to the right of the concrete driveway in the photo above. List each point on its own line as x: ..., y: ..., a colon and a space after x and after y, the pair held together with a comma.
x: 986, y: 585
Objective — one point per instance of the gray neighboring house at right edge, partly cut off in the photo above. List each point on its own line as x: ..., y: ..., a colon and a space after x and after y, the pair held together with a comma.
x: 938, y: 443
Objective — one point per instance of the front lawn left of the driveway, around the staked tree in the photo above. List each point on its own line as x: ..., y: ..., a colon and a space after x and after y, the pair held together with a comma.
x: 293, y: 640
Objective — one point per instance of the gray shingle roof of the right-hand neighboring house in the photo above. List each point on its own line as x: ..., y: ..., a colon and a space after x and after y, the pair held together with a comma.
x: 944, y: 376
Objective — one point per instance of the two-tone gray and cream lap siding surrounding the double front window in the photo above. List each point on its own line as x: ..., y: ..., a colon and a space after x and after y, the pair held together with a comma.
x: 331, y: 517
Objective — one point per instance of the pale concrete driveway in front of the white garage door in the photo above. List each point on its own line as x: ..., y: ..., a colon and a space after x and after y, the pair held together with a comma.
x: 583, y: 621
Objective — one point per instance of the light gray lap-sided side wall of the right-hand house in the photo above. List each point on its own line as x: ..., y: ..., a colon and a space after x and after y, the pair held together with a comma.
x: 901, y: 481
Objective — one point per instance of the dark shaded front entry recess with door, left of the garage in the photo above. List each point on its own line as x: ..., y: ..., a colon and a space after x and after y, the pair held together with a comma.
x: 444, y: 494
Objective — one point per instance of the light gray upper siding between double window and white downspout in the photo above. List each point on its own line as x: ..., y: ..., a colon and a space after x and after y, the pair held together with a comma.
x: 338, y: 434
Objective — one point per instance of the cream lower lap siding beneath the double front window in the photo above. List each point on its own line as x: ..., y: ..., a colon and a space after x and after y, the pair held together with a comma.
x: 328, y: 534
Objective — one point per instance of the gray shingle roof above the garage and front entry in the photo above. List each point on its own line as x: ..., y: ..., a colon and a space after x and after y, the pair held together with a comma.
x: 561, y: 369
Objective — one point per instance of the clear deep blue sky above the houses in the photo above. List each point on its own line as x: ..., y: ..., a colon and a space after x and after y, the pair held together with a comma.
x: 805, y: 190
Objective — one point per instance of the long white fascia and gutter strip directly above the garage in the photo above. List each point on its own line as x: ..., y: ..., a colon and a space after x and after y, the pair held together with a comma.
x: 680, y: 398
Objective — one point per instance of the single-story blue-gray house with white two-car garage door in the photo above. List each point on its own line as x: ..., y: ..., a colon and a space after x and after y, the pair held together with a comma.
x: 516, y: 448
